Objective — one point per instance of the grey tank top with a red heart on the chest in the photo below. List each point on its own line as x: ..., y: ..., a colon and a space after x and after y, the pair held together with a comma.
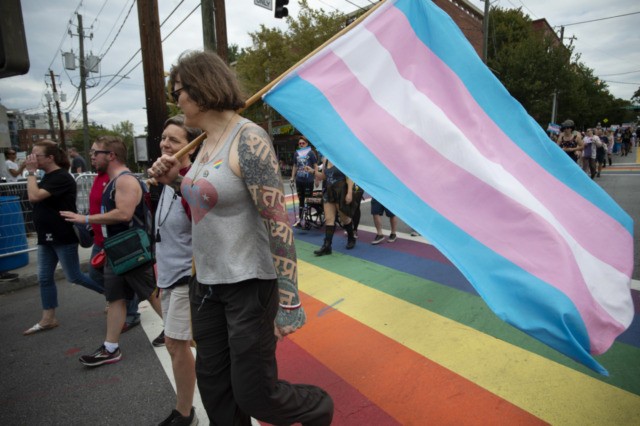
x: 230, y: 242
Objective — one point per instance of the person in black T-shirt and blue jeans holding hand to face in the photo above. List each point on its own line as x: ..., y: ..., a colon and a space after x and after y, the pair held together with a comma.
x: 57, y: 241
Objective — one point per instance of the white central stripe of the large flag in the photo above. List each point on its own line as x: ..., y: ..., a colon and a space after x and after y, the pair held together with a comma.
x: 370, y: 60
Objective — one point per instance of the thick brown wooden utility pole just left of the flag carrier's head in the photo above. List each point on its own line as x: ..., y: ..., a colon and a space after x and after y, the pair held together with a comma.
x: 153, y: 70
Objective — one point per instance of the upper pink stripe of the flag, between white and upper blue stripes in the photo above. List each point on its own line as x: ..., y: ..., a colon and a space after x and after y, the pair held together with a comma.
x: 417, y: 63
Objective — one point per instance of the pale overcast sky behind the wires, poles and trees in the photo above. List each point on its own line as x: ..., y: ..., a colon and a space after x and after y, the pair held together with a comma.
x: 610, y: 47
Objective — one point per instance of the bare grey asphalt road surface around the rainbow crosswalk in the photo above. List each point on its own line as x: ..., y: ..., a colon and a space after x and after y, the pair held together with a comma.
x: 42, y: 382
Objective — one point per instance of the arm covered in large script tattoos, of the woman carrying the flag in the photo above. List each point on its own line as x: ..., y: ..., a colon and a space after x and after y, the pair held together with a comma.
x: 259, y: 169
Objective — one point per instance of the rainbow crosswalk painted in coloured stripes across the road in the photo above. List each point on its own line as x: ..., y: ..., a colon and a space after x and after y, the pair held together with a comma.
x: 398, y: 336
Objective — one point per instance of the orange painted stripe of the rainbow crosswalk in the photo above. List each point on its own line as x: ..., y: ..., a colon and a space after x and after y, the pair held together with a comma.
x: 408, y: 386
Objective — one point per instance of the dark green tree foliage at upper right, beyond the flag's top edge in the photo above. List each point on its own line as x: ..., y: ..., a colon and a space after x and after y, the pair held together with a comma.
x: 533, y: 65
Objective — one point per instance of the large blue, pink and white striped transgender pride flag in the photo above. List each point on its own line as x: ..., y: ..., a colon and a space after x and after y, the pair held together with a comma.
x: 404, y: 106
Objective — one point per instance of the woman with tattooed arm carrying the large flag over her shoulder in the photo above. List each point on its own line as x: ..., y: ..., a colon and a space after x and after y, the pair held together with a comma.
x: 244, y: 255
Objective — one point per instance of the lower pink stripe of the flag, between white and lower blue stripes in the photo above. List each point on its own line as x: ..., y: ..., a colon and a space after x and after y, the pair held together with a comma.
x: 466, y: 201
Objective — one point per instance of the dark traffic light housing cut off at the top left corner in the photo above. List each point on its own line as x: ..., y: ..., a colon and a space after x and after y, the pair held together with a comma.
x: 14, y: 58
